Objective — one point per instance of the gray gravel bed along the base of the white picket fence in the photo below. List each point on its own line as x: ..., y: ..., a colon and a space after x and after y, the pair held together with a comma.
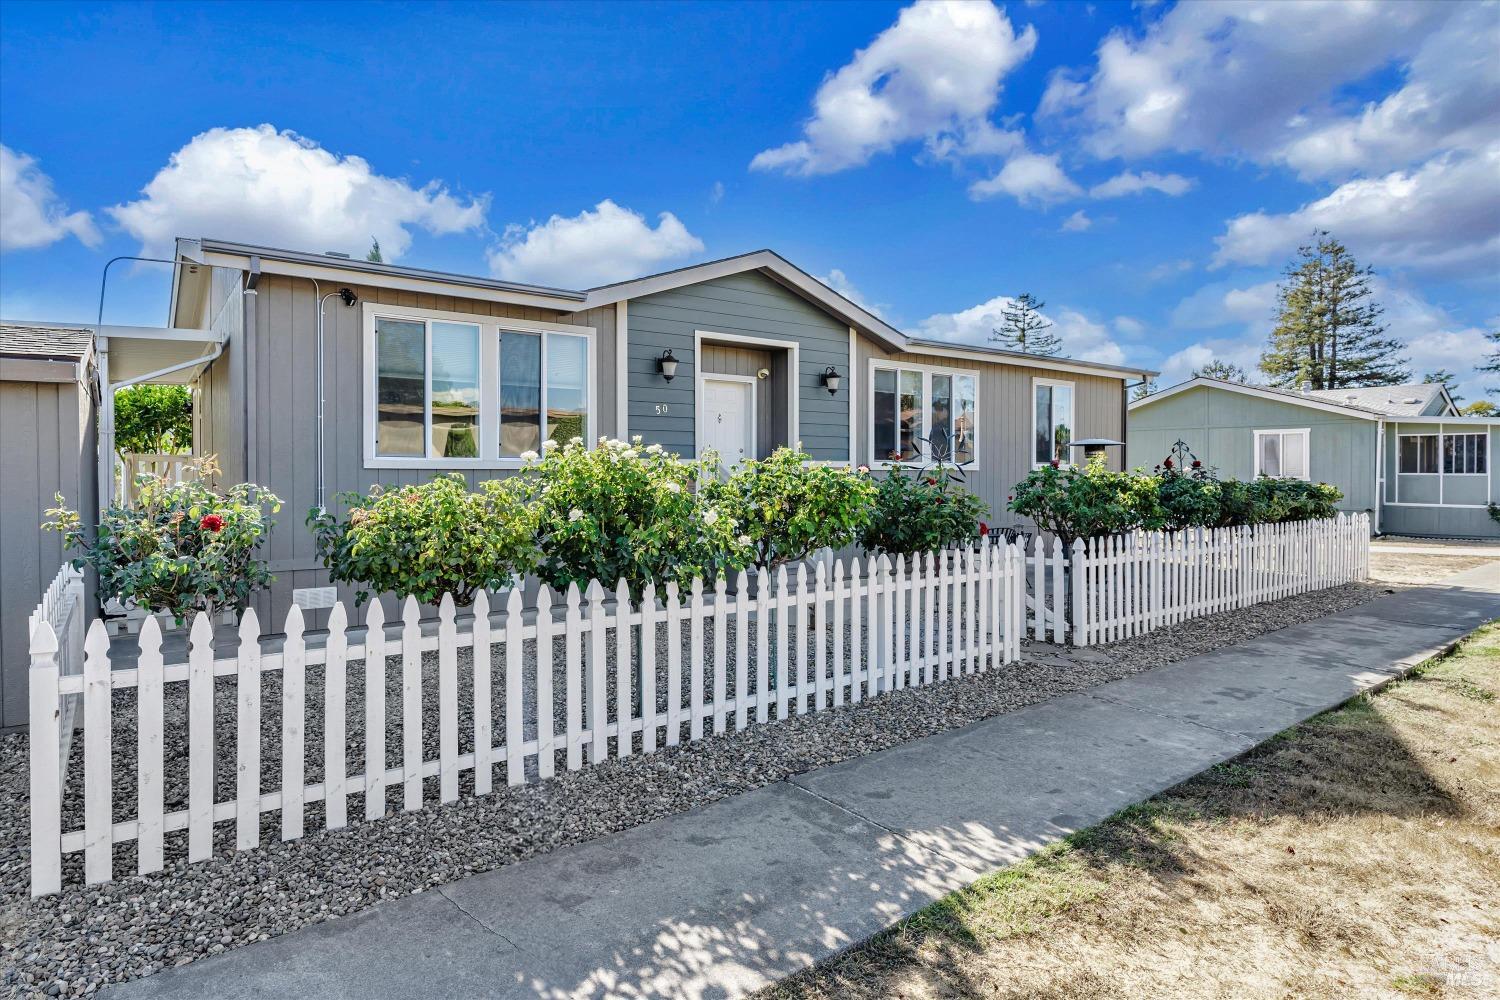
x: 86, y: 936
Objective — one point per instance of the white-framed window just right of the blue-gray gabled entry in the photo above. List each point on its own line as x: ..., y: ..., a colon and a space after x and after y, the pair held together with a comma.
x: 920, y: 413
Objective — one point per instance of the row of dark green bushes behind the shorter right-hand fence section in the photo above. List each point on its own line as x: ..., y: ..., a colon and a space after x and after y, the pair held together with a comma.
x: 1088, y: 503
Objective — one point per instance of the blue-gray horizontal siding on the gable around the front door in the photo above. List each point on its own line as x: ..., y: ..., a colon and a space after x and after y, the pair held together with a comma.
x: 746, y: 305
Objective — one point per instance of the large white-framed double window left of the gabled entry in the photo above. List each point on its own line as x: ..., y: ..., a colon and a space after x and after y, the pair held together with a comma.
x: 455, y: 391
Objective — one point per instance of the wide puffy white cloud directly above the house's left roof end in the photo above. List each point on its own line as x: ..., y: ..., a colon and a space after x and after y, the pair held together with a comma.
x: 275, y: 187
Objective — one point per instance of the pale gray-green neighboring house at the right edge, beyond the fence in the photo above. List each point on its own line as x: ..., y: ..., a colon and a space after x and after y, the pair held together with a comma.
x: 1399, y: 452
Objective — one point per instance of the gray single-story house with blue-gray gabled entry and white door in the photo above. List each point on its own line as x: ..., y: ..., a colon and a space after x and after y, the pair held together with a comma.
x: 425, y: 373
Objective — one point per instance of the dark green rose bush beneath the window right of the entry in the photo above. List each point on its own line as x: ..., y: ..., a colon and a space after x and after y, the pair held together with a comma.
x: 923, y: 512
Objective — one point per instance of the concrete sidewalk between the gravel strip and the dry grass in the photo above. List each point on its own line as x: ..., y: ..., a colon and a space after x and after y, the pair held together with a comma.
x: 728, y: 899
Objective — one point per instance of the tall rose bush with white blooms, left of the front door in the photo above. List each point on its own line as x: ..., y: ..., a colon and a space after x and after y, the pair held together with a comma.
x: 632, y: 513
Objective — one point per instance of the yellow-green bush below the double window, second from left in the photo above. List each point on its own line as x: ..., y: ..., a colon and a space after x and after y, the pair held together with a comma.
x: 428, y: 540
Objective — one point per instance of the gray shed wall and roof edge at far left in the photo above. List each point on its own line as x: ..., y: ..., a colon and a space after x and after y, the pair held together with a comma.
x: 47, y: 448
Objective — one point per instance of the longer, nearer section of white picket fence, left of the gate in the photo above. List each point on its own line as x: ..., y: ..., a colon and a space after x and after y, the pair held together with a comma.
x: 953, y: 614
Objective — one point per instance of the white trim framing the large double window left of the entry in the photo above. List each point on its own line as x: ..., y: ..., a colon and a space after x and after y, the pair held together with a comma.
x: 491, y: 328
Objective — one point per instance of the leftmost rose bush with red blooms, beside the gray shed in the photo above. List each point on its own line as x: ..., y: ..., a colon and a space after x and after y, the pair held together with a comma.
x: 181, y: 548
